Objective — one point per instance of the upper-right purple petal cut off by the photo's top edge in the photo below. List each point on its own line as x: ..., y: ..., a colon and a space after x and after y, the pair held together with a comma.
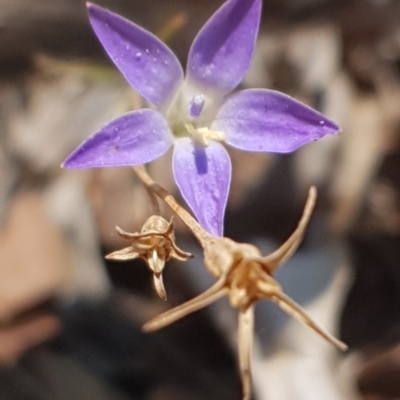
x: 221, y: 53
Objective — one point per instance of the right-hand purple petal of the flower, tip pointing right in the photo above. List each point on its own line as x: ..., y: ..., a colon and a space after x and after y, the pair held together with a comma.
x: 265, y: 120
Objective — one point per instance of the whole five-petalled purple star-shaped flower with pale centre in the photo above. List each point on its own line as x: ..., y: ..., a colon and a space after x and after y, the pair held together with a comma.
x: 194, y: 113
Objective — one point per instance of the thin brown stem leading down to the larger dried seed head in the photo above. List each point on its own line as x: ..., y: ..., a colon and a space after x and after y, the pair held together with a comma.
x: 201, y: 234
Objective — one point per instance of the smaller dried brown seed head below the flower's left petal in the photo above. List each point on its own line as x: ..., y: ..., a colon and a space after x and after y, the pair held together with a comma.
x: 156, y: 245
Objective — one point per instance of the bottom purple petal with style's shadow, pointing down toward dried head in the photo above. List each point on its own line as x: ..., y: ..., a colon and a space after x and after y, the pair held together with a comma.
x: 203, y: 175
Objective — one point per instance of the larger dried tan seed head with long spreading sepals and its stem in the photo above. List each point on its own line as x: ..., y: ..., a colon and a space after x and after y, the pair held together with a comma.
x: 244, y: 276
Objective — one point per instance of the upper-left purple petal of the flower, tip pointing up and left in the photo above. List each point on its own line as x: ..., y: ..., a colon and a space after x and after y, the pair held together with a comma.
x: 147, y: 63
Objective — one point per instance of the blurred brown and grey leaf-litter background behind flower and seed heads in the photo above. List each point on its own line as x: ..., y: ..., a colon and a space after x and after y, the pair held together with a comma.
x: 70, y: 321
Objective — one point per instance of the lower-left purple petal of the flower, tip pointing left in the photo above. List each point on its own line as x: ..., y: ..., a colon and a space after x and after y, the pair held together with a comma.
x: 134, y: 138
